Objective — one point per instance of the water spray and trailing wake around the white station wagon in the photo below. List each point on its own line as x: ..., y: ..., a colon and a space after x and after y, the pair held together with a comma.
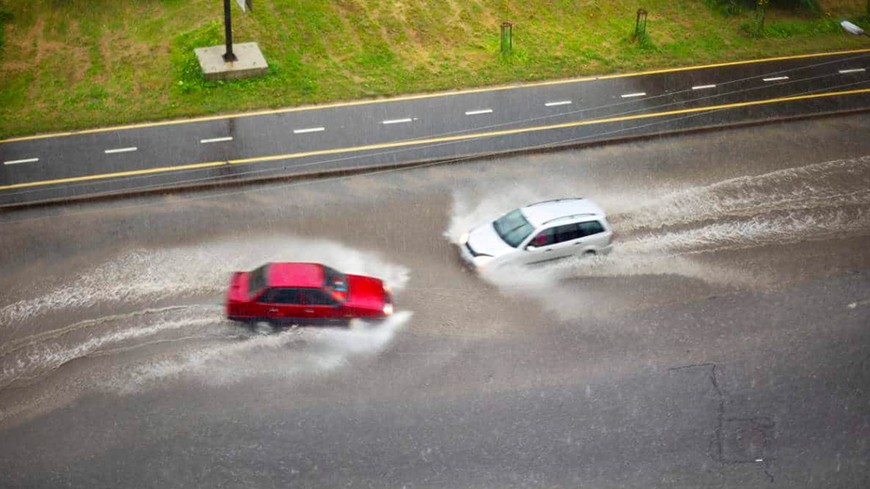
x: 659, y: 236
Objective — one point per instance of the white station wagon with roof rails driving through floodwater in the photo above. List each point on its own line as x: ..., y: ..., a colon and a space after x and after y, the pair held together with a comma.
x: 538, y: 233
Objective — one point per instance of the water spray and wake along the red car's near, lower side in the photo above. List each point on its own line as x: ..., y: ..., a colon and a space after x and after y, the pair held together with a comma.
x: 227, y: 359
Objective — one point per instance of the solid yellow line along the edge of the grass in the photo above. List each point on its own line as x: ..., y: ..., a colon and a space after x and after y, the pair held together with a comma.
x: 427, y: 95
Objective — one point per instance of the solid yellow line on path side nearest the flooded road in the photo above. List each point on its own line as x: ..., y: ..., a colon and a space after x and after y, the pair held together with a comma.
x: 443, y: 139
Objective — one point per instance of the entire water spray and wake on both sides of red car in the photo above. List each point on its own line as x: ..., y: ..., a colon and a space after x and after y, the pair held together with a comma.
x: 140, y: 350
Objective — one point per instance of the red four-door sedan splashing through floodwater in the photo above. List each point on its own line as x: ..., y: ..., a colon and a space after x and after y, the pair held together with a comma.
x: 305, y: 293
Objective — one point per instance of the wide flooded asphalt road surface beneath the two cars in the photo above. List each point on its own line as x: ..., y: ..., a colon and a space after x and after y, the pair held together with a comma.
x: 724, y: 342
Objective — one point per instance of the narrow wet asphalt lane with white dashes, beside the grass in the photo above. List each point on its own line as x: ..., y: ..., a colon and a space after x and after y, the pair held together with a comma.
x: 445, y: 126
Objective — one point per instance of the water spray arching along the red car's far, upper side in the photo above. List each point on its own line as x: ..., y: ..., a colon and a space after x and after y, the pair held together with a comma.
x: 145, y: 276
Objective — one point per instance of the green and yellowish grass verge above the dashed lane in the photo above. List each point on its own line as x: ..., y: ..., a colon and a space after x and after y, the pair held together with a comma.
x: 73, y: 64
